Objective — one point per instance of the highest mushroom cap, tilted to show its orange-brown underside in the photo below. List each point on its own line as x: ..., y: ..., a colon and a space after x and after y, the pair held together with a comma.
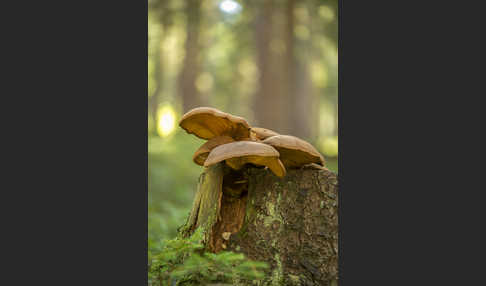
x: 208, y: 122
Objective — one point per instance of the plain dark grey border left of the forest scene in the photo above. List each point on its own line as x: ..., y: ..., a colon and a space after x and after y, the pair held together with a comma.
x: 76, y: 193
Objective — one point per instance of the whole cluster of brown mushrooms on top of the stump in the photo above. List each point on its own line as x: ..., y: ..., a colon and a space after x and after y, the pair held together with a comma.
x: 232, y: 140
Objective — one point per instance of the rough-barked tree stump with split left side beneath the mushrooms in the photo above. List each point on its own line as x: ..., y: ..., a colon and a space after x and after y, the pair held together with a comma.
x: 291, y: 223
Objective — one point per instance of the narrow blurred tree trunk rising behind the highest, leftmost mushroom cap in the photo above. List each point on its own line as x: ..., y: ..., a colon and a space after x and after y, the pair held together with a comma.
x: 187, y: 78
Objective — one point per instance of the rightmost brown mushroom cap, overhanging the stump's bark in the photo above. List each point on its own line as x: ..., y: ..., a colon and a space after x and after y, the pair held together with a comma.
x: 294, y: 152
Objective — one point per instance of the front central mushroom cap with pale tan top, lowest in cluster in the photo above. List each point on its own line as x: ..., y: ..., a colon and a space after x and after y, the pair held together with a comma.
x: 240, y: 153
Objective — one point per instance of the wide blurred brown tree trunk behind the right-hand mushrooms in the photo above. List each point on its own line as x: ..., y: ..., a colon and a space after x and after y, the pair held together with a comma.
x: 285, y: 100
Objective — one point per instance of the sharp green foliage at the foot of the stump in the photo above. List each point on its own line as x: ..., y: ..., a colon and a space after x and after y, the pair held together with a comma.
x: 184, y: 262
